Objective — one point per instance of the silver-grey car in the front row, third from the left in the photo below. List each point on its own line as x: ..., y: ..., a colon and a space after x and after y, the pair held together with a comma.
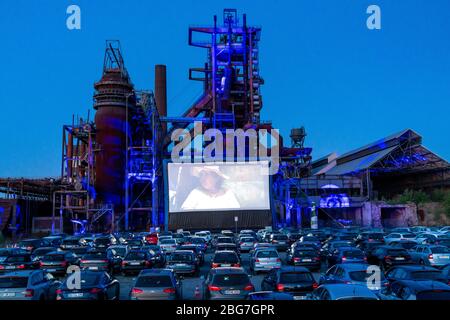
x: 156, y: 284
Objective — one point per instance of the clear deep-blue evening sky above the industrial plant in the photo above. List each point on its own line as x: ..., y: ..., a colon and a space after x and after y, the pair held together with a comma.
x: 322, y: 68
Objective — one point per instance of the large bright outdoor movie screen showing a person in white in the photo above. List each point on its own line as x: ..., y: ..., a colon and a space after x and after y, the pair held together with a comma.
x: 225, y: 186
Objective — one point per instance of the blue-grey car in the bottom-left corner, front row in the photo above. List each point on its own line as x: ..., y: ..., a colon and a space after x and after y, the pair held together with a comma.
x: 28, y: 285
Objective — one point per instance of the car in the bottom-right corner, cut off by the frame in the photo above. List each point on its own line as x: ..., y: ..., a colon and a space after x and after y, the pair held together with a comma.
x: 416, y: 290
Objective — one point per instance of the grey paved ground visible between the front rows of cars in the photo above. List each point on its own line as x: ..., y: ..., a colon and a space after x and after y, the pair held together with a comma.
x: 190, y: 283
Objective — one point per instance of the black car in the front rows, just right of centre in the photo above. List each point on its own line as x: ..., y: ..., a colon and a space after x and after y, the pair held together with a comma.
x: 297, y: 281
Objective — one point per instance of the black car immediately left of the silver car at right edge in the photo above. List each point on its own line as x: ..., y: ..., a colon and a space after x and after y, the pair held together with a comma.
x: 389, y: 256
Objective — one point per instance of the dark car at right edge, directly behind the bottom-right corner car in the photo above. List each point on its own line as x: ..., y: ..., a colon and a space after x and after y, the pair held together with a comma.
x: 415, y: 272
